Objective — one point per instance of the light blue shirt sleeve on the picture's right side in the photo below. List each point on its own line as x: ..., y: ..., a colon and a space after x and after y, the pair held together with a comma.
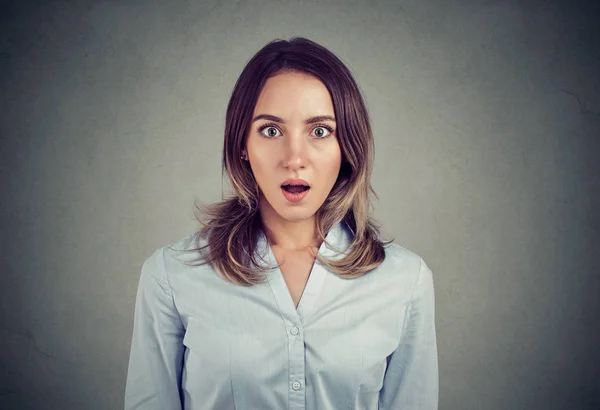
x: 411, y: 380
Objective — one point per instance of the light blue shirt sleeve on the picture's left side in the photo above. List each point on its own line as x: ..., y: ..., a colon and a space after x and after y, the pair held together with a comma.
x: 155, y: 361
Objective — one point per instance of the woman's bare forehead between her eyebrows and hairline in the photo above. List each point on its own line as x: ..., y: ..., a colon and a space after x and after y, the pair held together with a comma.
x: 294, y: 94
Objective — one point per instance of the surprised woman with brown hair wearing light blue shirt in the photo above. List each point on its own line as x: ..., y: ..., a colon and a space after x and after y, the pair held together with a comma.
x: 296, y: 302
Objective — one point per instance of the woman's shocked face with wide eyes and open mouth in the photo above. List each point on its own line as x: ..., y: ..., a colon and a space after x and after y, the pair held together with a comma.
x: 287, y: 147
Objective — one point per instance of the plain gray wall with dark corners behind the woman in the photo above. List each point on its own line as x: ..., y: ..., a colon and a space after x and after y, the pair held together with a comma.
x: 487, y: 124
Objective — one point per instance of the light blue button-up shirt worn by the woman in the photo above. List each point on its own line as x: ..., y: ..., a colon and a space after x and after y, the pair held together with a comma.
x: 203, y: 343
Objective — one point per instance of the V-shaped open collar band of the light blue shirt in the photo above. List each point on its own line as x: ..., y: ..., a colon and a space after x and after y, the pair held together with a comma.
x: 314, y: 284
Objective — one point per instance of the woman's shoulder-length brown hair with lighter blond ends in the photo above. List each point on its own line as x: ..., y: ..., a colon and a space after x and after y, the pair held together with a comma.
x: 231, y: 227
